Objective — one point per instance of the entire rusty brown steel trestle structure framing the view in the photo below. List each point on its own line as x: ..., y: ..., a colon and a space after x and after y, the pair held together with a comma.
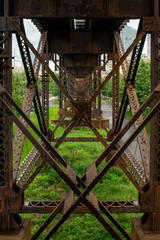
x: 84, y: 39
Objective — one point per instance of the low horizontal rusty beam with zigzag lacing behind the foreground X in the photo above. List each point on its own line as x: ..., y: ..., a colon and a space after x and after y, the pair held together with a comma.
x: 112, y: 206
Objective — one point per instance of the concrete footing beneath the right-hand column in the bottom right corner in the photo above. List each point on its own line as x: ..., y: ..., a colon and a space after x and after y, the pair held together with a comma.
x: 139, y: 234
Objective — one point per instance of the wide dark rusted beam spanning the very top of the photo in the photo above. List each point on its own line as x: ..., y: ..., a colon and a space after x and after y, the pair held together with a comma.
x: 73, y: 8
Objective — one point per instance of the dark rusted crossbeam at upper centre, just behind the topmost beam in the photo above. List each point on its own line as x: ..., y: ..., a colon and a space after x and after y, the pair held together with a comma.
x: 95, y: 41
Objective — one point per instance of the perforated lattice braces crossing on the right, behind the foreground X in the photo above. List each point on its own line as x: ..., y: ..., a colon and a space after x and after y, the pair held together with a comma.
x: 129, y: 76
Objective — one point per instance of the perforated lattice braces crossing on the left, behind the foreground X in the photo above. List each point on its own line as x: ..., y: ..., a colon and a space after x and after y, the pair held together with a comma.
x: 29, y: 96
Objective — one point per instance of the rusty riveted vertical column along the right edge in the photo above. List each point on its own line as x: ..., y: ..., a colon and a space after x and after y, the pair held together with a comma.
x: 153, y: 192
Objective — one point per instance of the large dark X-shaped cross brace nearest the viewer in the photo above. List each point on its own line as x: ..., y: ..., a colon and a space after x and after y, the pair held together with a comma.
x: 93, y: 181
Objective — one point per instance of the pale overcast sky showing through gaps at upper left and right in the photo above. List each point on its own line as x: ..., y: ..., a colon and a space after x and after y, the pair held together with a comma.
x: 34, y: 35
